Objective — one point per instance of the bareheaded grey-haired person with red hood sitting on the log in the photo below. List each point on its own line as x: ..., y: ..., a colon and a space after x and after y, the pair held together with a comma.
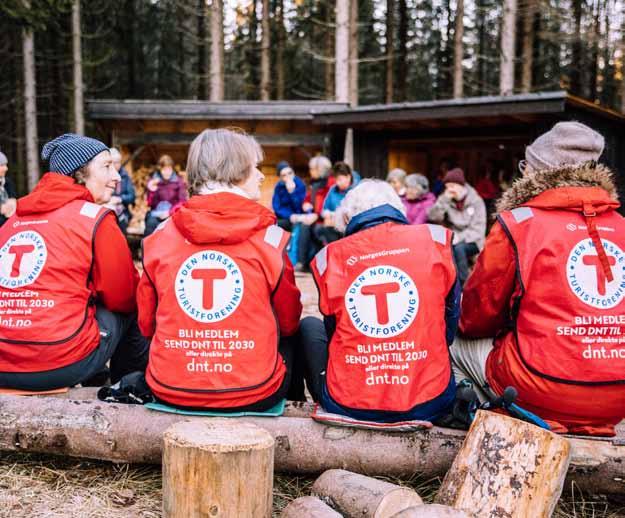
x: 218, y: 296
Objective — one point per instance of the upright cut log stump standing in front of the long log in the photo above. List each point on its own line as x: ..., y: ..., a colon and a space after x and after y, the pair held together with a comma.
x: 217, y: 469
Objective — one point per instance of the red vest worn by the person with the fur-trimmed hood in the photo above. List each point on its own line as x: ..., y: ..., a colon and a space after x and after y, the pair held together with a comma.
x: 569, y: 318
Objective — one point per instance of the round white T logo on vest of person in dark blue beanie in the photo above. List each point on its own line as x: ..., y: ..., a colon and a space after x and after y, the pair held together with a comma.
x: 22, y: 259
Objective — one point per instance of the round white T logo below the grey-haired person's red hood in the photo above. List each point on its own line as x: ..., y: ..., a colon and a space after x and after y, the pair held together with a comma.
x: 209, y: 286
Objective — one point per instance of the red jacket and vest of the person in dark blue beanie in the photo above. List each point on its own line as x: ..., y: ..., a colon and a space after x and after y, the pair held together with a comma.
x: 48, y: 275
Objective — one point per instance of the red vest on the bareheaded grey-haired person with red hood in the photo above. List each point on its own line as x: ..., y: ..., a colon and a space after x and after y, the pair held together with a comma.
x: 216, y: 331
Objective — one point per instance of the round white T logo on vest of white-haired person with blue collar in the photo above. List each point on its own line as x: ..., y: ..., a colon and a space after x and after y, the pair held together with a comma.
x: 383, y: 301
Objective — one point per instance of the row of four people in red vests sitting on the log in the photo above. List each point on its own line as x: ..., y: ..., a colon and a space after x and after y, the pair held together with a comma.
x: 219, y: 312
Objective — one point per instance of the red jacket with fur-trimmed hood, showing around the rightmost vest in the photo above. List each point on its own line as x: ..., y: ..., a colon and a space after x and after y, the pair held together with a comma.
x: 489, y: 296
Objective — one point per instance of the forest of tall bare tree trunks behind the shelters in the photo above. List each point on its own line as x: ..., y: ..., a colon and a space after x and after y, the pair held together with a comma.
x: 56, y: 53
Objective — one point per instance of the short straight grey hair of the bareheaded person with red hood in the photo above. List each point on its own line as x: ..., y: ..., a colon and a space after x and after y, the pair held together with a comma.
x: 221, y: 155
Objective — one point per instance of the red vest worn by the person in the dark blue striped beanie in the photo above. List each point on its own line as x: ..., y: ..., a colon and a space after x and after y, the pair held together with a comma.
x: 47, y: 315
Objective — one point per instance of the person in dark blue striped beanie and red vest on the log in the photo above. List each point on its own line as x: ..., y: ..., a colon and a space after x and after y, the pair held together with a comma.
x: 67, y: 280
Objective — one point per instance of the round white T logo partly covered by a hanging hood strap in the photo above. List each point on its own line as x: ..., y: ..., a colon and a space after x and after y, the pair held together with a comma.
x: 587, y: 278
